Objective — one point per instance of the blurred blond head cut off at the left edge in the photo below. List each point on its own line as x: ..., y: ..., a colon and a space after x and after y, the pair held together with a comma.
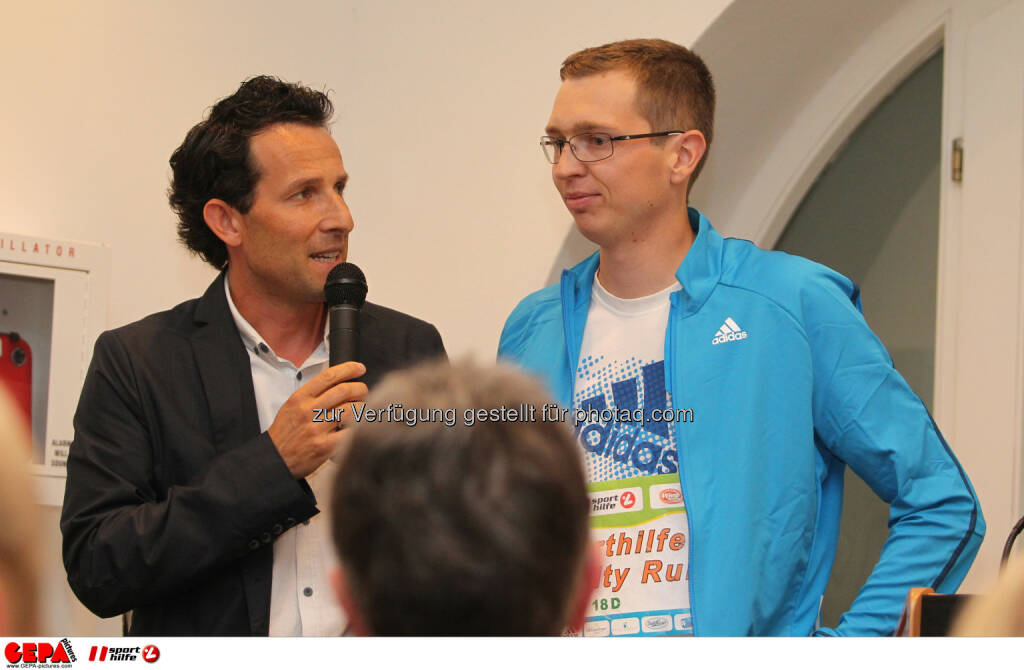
x: 19, y: 573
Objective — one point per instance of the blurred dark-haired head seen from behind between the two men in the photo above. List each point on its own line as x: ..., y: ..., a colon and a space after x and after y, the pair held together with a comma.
x: 456, y: 526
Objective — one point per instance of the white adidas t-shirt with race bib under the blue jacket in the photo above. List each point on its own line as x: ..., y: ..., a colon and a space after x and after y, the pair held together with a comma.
x: 638, y: 519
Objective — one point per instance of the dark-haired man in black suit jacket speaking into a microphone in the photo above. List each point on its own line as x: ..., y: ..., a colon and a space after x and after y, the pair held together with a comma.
x: 198, y: 476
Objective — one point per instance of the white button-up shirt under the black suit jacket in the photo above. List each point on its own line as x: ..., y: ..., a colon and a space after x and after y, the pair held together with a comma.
x: 302, y: 600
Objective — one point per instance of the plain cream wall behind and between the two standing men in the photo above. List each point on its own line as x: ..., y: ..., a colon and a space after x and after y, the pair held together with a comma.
x: 440, y: 107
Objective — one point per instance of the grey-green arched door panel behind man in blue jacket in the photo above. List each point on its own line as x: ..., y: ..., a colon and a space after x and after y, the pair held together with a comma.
x: 874, y: 216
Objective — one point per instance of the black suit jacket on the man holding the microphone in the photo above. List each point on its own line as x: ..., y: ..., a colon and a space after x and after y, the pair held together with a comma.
x: 174, y: 495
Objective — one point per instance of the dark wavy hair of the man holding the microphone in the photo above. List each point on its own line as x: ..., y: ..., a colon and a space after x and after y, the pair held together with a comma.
x: 215, y: 161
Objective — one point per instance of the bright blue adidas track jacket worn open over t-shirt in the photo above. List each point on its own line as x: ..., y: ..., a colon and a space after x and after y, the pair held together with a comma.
x: 777, y: 416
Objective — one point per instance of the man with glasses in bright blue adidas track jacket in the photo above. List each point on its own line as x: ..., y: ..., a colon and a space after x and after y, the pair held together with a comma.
x: 718, y: 391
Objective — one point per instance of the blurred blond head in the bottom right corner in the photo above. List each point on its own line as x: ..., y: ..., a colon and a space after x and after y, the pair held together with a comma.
x: 1000, y: 612
